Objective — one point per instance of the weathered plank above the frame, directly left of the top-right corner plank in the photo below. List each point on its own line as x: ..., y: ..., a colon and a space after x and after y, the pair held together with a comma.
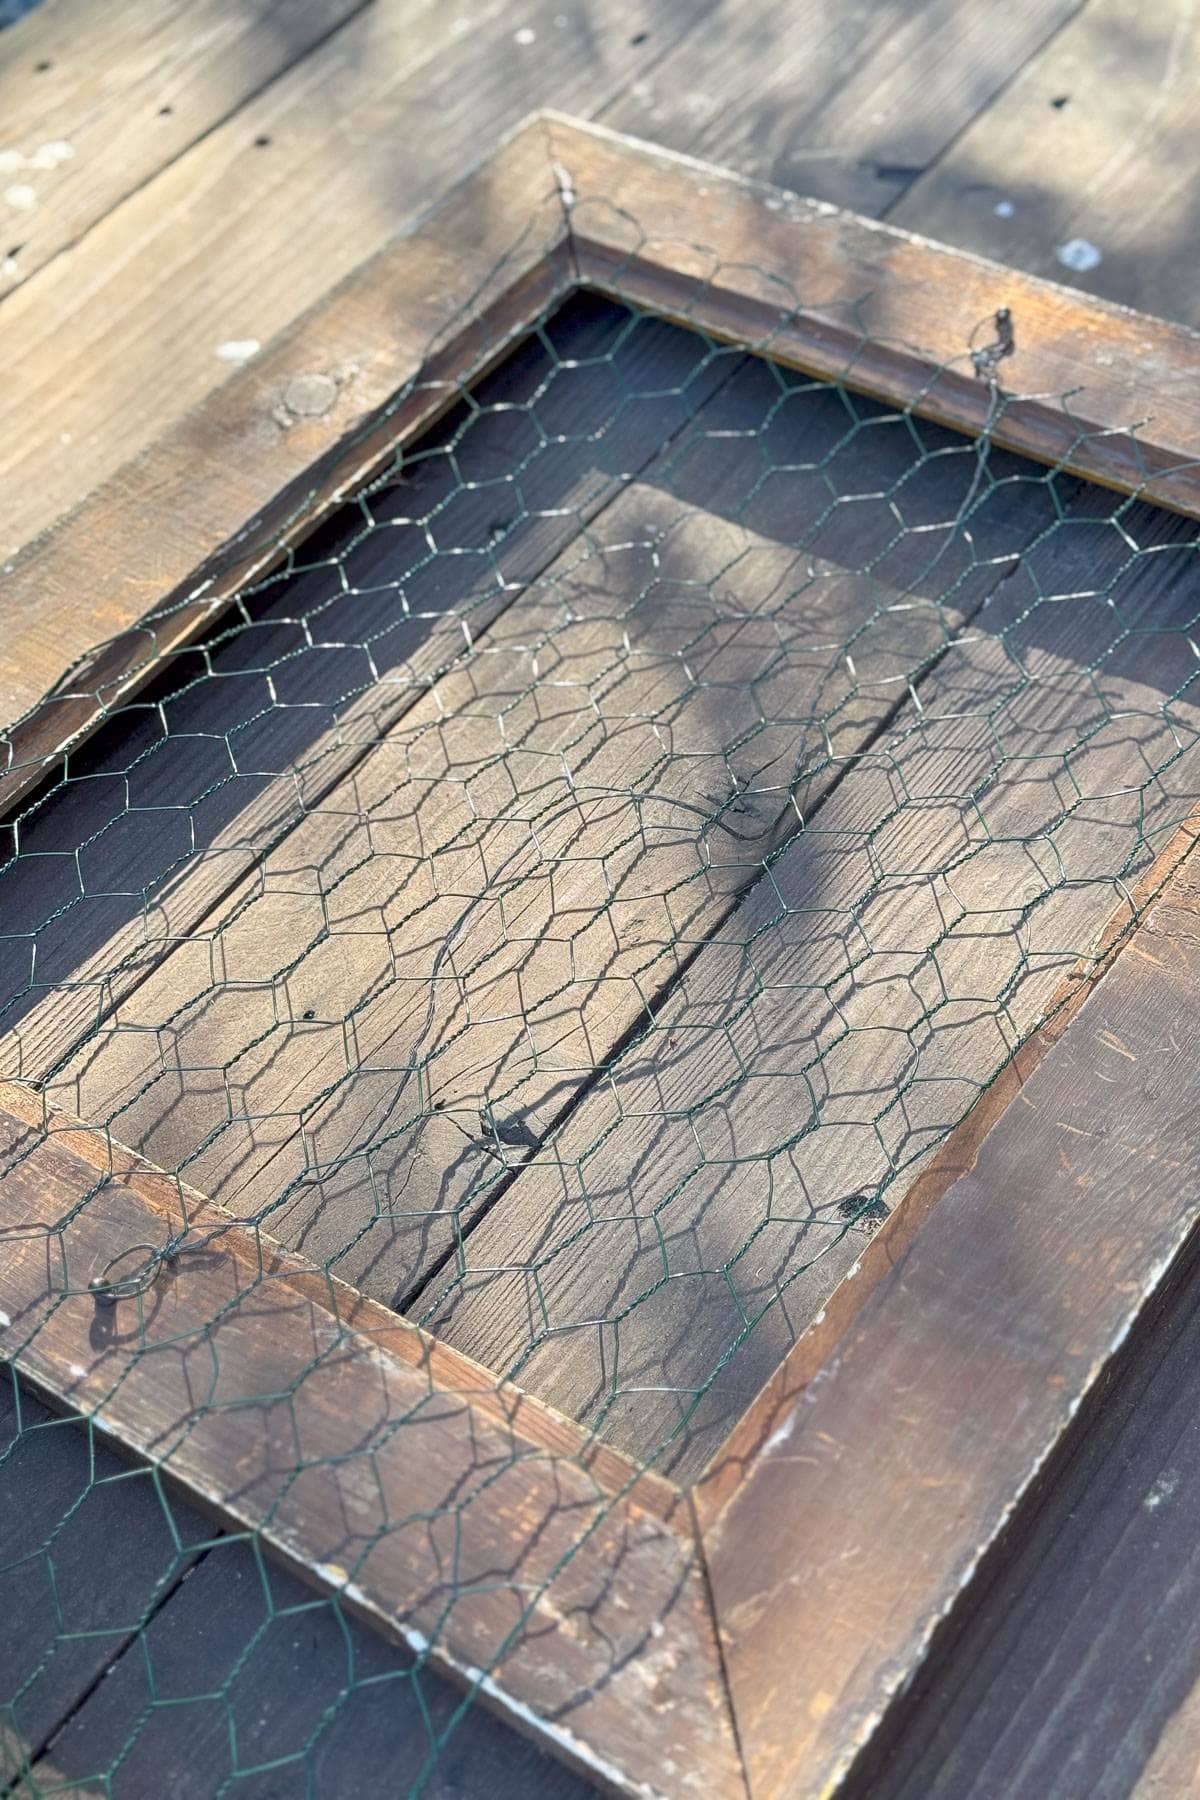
x: 845, y: 103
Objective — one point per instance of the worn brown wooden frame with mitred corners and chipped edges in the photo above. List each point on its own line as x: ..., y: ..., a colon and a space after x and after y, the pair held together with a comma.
x: 659, y: 1639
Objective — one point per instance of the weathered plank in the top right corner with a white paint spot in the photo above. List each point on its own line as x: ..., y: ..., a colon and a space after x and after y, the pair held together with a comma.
x: 1082, y: 170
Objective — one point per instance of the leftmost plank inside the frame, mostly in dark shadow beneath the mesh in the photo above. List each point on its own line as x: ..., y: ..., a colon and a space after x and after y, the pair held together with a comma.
x: 186, y: 793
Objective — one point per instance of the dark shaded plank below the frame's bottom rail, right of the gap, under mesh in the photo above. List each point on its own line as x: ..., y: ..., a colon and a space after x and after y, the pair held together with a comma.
x: 285, y: 1689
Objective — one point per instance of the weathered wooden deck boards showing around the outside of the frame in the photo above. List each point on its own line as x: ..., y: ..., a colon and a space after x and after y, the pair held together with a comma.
x: 195, y: 175
